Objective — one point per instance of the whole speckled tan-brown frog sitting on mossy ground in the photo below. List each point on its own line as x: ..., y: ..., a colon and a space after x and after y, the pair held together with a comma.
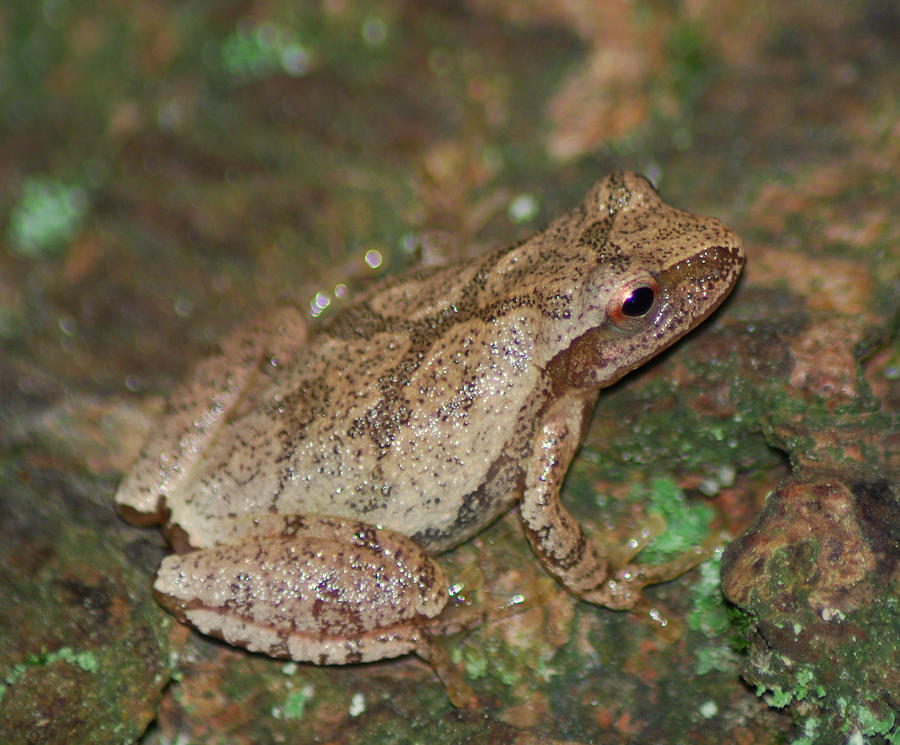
x: 308, y: 478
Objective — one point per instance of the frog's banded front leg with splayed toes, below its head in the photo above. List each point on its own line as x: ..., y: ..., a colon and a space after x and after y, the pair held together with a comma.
x: 557, y: 537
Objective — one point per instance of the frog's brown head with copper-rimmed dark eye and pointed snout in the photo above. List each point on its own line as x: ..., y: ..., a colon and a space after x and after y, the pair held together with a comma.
x: 656, y: 273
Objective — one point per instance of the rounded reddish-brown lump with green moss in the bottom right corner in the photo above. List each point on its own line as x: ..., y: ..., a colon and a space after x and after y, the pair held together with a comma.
x: 818, y: 575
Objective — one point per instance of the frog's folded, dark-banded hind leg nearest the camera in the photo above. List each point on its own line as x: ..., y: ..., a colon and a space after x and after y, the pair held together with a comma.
x: 311, y: 589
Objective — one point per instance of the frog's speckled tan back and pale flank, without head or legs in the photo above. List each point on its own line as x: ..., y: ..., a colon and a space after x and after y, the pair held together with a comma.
x: 399, y: 411
